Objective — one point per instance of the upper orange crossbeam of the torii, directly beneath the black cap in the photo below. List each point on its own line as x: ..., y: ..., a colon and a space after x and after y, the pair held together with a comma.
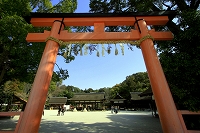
x: 109, y: 21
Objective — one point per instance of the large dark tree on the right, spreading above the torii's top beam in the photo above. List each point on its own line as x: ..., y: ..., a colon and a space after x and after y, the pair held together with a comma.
x: 179, y: 58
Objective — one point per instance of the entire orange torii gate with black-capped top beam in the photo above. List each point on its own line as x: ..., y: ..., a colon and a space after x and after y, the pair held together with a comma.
x: 169, y: 117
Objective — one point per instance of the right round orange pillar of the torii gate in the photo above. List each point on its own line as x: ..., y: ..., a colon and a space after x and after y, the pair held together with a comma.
x: 166, y: 108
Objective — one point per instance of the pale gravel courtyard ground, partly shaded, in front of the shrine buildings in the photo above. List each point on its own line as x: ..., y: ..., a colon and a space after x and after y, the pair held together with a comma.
x: 93, y: 122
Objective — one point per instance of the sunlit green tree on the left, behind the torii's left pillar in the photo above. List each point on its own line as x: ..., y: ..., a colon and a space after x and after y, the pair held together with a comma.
x: 19, y: 59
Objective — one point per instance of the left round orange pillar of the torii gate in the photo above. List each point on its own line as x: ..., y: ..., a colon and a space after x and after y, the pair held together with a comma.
x: 31, y: 118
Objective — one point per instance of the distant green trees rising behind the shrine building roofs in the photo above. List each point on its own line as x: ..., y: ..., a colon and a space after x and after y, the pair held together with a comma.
x: 137, y: 82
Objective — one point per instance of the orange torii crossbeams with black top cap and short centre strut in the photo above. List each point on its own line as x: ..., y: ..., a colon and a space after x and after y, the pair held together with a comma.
x: 99, y: 21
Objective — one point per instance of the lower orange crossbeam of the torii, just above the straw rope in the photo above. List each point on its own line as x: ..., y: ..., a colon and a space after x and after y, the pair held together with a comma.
x: 98, y: 36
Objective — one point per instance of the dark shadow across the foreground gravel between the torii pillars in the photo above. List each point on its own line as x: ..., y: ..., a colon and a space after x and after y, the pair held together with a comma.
x: 120, y: 124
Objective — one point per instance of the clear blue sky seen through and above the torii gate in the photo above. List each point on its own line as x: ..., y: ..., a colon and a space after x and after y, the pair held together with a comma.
x: 90, y: 71
